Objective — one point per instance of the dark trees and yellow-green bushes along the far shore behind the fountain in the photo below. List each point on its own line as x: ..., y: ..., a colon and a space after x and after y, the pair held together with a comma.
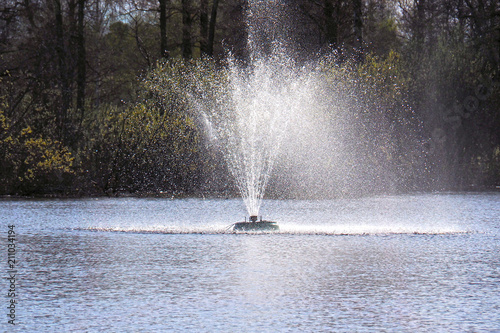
x: 79, y: 114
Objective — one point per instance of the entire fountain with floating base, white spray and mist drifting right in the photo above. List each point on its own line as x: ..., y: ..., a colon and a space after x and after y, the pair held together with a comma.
x: 316, y: 125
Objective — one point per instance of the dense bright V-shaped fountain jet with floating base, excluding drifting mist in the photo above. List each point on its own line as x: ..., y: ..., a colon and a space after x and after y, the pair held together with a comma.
x: 248, y: 113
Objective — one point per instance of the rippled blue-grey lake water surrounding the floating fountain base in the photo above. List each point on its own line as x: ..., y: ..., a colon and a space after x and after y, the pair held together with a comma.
x: 409, y: 263
